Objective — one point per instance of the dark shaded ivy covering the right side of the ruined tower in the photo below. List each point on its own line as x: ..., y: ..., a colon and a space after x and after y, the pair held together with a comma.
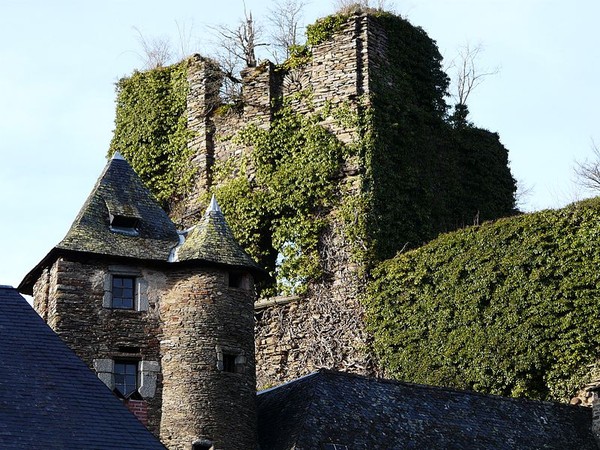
x: 426, y: 176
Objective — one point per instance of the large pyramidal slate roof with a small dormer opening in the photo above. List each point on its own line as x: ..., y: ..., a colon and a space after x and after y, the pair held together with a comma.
x: 121, y: 218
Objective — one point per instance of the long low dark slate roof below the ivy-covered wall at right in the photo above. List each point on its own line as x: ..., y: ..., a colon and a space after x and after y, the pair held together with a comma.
x: 368, y: 413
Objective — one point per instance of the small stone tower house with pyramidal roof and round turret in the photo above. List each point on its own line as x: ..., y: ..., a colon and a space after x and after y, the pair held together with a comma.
x: 164, y: 317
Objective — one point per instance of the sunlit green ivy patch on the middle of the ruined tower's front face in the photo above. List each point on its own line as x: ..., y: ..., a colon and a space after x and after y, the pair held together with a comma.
x: 279, y: 212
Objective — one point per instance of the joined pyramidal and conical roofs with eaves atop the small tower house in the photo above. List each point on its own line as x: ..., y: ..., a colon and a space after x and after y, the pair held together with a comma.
x: 121, y: 219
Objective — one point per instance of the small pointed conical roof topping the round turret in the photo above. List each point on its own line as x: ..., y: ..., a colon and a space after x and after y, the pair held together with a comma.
x: 212, y: 241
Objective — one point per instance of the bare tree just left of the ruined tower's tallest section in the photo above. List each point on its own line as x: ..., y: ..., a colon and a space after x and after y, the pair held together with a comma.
x: 285, y: 17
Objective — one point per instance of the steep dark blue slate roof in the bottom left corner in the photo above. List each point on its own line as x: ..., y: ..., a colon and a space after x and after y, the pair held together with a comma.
x: 48, y: 397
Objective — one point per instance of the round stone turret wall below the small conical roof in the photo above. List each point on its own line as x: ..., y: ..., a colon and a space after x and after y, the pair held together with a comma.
x: 203, y: 320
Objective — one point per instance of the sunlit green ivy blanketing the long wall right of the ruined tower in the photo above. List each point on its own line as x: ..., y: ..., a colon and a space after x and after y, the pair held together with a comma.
x: 508, y: 308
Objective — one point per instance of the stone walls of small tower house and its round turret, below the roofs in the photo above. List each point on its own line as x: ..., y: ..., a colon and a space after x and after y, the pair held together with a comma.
x: 189, y: 319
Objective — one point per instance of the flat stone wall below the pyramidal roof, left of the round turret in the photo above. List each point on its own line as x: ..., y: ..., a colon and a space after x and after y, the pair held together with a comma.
x: 70, y: 297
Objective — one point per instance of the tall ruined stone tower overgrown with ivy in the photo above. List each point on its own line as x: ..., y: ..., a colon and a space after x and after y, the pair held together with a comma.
x: 374, y: 84
